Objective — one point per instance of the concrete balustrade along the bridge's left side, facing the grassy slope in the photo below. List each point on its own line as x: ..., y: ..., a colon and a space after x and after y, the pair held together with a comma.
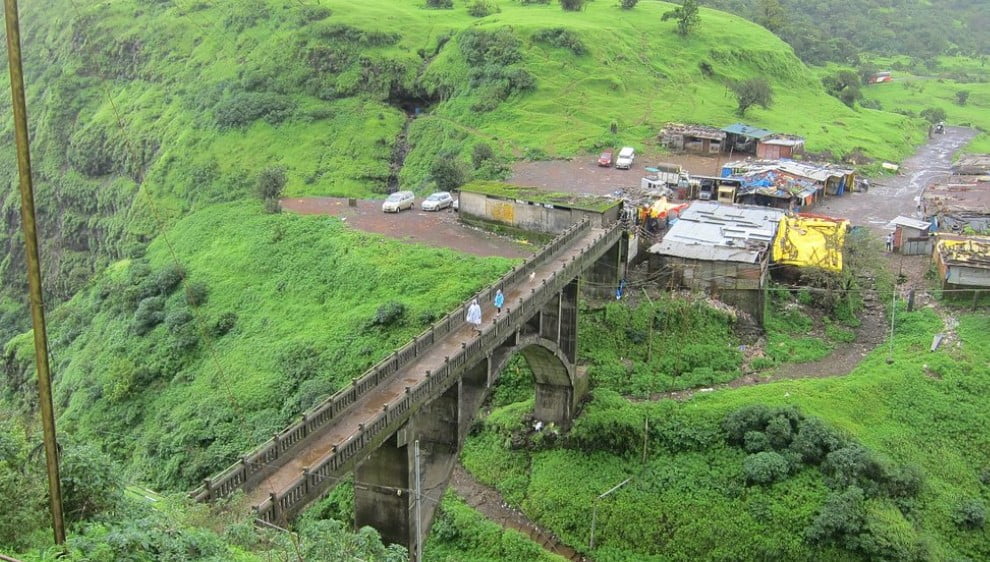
x: 268, y: 455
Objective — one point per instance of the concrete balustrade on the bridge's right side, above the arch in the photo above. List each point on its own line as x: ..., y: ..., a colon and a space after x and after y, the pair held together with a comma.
x: 313, y: 480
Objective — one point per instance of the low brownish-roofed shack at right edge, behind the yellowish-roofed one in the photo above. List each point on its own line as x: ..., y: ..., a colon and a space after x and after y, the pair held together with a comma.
x: 959, y: 204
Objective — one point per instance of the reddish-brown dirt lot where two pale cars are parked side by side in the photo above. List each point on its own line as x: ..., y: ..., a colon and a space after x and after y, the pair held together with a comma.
x: 438, y: 229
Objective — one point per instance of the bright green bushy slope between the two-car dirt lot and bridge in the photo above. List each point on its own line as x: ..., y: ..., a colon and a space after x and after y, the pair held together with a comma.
x: 277, y: 311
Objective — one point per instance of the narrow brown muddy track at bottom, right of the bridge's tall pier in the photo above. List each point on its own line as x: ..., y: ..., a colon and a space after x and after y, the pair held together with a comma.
x: 490, y: 503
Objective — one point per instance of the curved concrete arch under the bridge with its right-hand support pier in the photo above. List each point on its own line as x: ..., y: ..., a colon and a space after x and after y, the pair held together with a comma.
x: 559, y: 385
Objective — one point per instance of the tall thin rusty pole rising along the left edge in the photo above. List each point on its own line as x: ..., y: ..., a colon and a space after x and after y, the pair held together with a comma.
x: 34, y: 269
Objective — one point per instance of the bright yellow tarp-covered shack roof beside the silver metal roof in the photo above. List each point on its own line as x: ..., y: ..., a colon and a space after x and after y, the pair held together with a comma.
x: 807, y: 240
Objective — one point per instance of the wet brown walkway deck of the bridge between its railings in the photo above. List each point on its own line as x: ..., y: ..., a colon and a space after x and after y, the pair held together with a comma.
x: 365, y: 410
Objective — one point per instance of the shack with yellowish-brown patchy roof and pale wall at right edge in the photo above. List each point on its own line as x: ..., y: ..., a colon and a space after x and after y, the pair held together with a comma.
x: 963, y: 262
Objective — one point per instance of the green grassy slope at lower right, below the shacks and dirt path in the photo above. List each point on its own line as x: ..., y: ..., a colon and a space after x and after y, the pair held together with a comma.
x: 691, y: 500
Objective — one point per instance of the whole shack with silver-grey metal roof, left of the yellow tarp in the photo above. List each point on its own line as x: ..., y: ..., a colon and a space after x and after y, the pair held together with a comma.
x: 722, y: 249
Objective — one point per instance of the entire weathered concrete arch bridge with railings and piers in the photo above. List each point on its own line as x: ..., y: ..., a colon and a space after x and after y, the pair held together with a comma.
x: 418, y: 403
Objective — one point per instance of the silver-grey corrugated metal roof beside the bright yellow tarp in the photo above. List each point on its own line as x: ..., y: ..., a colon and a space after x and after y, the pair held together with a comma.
x: 716, y: 232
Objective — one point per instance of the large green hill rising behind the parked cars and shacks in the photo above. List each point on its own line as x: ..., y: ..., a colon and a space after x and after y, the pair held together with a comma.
x: 144, y: 111
